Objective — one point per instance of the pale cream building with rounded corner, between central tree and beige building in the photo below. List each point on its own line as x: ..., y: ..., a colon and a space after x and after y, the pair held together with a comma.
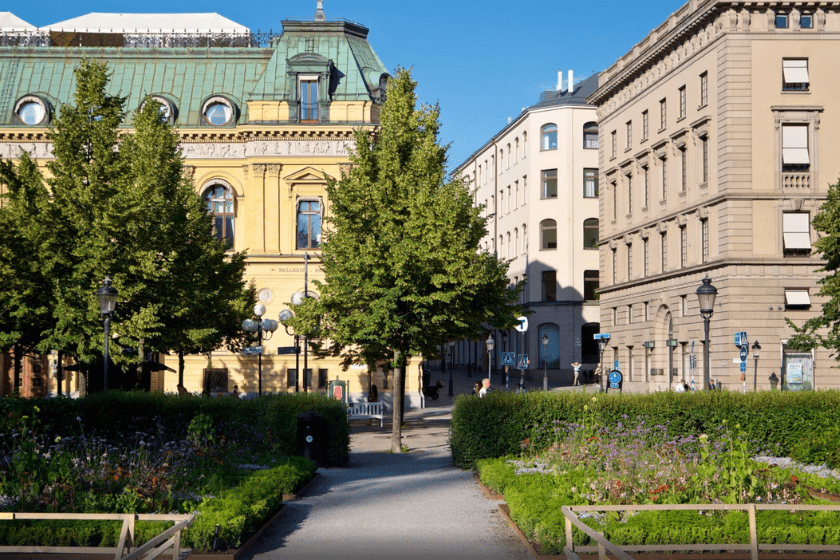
x: 537, y: 180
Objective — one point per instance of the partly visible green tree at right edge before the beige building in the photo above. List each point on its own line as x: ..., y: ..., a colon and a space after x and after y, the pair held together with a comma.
x: 824, y: 330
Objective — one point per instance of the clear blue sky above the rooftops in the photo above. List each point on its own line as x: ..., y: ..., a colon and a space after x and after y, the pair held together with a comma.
x: 481, y: 61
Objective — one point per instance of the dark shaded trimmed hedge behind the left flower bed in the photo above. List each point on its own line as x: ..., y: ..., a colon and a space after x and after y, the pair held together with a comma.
x: 273, y: 417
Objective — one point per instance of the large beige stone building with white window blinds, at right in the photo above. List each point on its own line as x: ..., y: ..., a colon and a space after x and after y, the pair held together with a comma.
x: 718, y: 142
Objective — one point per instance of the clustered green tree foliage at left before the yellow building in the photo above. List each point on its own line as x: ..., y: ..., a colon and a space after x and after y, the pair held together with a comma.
x: 120, y: 204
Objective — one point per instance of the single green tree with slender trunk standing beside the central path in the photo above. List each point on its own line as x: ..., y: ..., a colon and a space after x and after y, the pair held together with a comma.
x: 401, y: 259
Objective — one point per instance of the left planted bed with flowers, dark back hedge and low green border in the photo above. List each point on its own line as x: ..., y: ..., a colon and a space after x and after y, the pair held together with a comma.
x: 226, y: 459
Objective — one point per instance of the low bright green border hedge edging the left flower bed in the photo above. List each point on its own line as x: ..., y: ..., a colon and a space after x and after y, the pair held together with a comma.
x: 239, y: 511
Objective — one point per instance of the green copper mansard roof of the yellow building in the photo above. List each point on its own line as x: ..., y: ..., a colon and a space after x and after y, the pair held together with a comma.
x: 189, y: 76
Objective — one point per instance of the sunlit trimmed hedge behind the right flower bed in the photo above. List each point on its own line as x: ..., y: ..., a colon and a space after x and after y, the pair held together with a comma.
x: 496, y: 425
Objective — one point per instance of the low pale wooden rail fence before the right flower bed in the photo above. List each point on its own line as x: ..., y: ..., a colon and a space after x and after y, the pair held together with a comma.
x: 754, y: 547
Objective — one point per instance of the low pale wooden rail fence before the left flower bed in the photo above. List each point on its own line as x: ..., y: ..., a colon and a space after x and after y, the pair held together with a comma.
x: 168, y: 542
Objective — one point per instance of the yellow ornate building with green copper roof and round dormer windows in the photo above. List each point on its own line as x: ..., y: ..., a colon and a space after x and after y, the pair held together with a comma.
x: 263, y: 120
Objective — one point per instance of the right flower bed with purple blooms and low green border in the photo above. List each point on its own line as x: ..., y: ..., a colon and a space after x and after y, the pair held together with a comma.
x: 634, y: 461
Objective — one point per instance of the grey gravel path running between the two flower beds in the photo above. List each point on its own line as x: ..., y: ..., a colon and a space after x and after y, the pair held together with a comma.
x: 413, y: 505
